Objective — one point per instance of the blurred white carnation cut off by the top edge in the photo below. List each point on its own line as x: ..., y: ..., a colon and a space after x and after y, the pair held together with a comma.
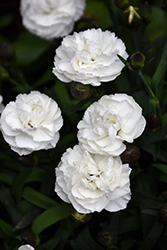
x: 51, y: 18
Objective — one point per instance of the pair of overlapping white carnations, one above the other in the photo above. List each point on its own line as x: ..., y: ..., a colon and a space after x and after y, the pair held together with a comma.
x: 91, y: 176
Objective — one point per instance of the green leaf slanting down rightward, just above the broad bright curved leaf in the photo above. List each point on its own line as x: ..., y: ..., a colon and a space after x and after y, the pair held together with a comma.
x: 38, y: 199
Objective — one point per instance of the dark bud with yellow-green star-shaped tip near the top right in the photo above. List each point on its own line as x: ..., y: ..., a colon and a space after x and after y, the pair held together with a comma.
x: 132, y: 17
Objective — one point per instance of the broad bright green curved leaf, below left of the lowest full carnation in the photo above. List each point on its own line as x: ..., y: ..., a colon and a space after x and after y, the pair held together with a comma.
x: 50, y: 217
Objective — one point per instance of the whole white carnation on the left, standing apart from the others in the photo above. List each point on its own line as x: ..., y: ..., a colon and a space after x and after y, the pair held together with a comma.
x: 31, y: 123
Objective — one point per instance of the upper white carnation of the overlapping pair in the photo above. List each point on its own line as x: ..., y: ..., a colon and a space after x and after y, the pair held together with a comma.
x: 109, y: 122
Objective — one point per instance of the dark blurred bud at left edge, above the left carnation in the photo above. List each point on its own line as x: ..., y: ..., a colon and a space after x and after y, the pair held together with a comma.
x: 7, y: 54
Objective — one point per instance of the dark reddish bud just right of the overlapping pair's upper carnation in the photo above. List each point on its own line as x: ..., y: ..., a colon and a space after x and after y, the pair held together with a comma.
x: 153, y: 121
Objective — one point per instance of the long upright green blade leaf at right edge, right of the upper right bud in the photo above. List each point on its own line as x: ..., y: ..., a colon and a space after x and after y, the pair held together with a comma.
x: 159, y: 73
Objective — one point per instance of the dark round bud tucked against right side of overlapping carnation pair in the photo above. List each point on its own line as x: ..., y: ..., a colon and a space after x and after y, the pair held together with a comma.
x: 131, y: 154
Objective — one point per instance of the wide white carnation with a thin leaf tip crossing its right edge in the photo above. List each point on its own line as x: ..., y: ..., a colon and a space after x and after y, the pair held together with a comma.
x: 89, y: 57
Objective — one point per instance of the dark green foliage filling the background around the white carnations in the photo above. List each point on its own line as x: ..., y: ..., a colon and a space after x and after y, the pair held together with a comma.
x: 28, y: 202
